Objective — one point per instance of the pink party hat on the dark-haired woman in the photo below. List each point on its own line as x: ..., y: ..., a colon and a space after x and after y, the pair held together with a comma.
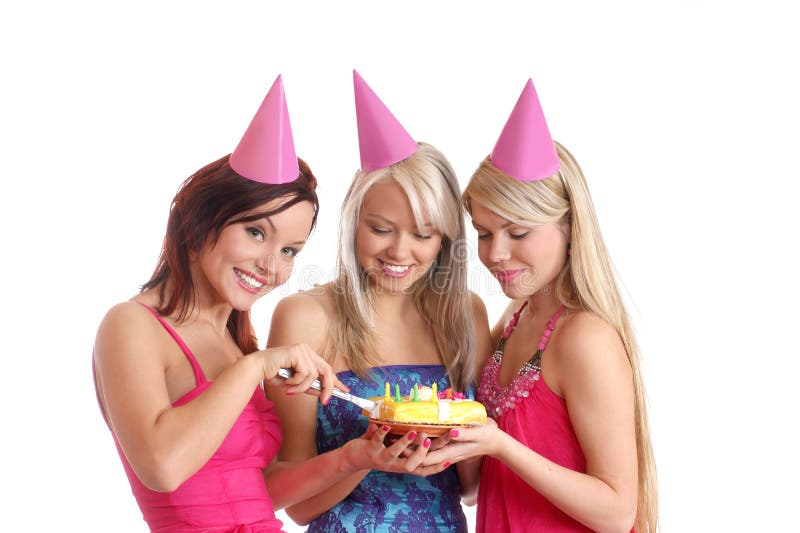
x: 266, y: 151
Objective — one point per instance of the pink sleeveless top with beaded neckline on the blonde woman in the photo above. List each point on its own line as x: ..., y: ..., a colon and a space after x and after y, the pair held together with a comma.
x: 534, y: 415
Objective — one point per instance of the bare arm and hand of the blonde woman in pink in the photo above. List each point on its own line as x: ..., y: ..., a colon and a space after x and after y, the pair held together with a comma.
x: 591, y: 369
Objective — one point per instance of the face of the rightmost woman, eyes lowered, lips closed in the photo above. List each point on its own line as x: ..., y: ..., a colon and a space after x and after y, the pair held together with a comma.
x: 522, y: 258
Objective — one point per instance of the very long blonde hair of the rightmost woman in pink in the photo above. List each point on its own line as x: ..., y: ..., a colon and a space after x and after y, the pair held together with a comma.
x: 586, y: 282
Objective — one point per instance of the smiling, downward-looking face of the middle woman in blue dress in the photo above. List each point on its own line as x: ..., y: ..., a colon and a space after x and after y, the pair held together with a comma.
x: 390, y: 247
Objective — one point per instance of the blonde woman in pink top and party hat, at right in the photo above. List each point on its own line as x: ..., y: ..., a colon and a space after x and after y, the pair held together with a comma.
x: 570, y: 449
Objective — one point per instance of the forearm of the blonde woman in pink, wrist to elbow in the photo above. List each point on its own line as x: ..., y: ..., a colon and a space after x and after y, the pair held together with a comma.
x: 584, y: 497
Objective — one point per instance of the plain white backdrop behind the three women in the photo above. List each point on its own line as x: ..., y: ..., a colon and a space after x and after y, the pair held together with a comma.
x: 683, y: 118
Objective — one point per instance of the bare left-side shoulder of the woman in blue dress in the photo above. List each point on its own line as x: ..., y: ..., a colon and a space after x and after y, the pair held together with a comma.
x: 303, y: 317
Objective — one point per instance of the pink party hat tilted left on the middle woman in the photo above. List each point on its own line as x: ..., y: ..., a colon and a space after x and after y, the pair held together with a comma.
x: 381, y: 139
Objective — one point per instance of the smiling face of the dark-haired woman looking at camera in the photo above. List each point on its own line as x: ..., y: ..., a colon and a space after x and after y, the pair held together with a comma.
x: 249, y: 259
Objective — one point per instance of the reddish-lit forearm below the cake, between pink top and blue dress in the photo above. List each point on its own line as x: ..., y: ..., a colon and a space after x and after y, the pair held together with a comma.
x: 309, y: 488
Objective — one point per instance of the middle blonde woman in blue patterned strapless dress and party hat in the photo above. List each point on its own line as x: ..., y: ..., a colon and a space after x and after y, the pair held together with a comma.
x: 397, y: 311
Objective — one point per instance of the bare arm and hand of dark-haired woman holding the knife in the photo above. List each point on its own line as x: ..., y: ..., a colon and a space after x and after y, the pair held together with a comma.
x: 165, y: 445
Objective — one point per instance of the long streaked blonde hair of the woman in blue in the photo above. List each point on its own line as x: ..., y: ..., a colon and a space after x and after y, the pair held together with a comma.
x: 441, y: 296
